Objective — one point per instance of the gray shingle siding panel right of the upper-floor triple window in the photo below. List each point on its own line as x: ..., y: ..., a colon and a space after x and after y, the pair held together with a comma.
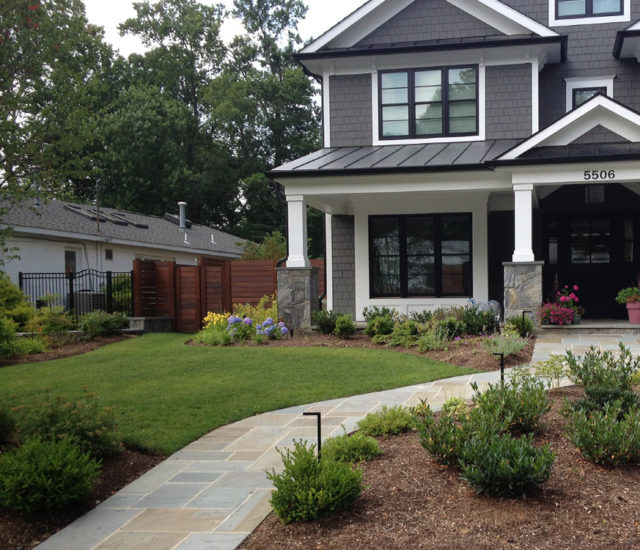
x: 508, y: 101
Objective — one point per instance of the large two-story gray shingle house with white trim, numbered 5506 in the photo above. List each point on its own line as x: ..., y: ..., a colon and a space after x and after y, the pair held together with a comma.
x: 474, y: 148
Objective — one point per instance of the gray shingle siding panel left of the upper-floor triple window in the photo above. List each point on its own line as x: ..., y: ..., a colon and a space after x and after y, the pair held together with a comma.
x: 350, y: 101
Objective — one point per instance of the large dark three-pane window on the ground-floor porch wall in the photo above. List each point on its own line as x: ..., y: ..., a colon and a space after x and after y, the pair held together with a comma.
x: 421, y: 255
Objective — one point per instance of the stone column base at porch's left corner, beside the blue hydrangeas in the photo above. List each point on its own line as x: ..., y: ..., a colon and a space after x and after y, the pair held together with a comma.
x: 297, y: 295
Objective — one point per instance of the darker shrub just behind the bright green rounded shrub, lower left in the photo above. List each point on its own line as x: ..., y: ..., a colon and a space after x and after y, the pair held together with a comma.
x: 83, y: 422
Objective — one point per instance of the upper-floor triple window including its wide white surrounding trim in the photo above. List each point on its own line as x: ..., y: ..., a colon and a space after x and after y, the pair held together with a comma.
x: 442, y: 104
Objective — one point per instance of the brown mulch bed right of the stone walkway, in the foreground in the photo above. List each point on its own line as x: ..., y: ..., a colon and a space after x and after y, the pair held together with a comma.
x: 413, y: 502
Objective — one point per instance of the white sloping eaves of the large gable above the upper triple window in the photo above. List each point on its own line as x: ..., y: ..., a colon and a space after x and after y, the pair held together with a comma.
x: 374, y: 13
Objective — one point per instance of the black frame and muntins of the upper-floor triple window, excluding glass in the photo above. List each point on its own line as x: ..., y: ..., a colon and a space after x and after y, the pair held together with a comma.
x: 445, y: 101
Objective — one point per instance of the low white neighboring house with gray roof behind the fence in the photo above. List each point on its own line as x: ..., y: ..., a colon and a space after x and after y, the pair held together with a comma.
x: 60, y: 236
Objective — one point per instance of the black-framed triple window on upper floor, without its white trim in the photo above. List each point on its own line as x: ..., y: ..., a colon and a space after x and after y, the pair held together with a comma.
x: 434, y: 102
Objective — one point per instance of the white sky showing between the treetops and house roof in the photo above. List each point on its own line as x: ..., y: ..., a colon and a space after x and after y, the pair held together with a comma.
x: 322, y: 15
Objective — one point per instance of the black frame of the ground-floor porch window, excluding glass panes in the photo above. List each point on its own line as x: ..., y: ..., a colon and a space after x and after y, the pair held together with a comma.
x: 437, y: 249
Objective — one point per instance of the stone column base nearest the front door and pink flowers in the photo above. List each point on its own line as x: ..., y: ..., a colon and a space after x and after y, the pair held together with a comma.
x: 522, y: 288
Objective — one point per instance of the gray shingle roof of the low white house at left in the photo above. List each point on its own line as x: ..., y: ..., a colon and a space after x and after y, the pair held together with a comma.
x: 122, y: 225
